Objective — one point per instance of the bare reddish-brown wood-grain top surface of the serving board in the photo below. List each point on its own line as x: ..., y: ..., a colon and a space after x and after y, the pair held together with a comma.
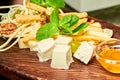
x: 22, y: 64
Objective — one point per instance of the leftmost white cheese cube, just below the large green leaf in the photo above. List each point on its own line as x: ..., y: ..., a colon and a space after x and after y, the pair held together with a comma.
x: 45, y: 48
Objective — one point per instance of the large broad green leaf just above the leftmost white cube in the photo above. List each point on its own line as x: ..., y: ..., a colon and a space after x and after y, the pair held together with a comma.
x: 46, y: 31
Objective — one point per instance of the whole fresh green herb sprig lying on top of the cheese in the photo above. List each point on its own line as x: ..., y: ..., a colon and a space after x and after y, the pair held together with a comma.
x: 56, y: 25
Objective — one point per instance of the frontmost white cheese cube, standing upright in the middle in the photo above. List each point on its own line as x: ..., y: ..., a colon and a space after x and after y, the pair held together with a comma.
x: 62, y: 57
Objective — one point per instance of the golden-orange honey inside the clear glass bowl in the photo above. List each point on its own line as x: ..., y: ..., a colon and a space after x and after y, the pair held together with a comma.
x: 110, y: 59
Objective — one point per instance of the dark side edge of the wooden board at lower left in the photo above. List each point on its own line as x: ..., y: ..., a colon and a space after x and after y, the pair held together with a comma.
x: 15, y: 75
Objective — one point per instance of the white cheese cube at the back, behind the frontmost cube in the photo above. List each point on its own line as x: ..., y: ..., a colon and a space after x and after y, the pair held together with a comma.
x: 63, y: 40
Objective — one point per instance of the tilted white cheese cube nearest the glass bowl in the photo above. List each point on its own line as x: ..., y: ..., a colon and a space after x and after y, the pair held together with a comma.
x: 84, y: 52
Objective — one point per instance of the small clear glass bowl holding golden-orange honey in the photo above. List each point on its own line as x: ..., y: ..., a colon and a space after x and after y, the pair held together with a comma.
x: 108, y: 55
